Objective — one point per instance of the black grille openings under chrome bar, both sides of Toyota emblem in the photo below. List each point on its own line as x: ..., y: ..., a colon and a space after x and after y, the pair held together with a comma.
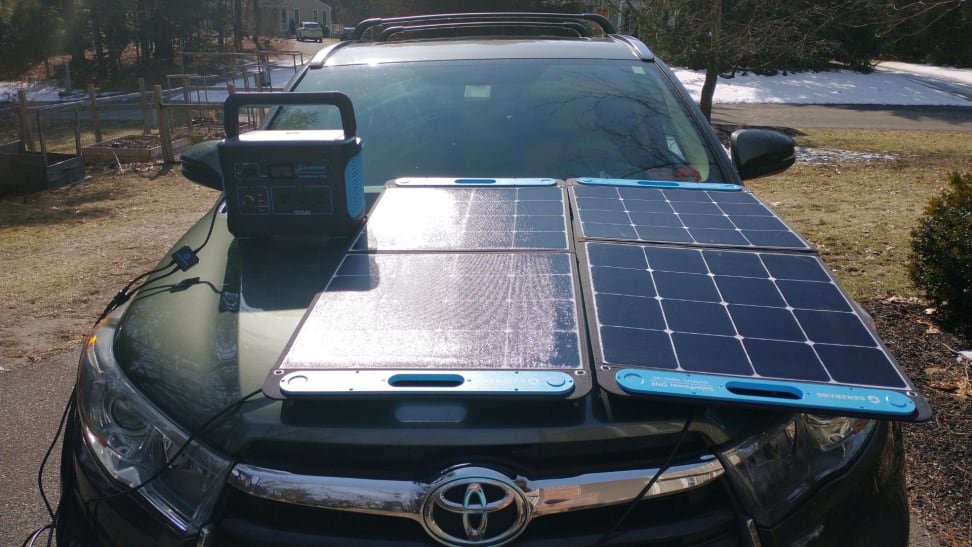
x: 698, y: 517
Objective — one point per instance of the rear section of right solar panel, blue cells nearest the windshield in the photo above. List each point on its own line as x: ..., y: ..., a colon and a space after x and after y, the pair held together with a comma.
x: 722, y: 218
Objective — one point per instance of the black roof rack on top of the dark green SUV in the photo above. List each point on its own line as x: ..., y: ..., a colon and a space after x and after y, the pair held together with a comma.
x: 573, y: 22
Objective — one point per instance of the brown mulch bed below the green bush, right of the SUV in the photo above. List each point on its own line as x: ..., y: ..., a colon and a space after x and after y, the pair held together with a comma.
x: 939, y: 452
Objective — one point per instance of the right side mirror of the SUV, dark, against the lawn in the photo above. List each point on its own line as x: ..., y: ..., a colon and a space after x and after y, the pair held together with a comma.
x: 761, y: 152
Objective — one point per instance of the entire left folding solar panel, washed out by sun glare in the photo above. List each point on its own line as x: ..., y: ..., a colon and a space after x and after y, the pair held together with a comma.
x: 468, y: 299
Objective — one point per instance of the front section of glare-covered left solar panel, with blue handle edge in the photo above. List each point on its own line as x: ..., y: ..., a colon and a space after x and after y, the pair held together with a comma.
x: 412, y: 323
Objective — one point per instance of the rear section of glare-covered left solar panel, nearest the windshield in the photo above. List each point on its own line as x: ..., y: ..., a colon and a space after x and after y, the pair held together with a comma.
x: 454, y: 218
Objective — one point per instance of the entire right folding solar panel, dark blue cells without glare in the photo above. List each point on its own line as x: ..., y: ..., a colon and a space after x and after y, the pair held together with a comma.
x: 705, y: 295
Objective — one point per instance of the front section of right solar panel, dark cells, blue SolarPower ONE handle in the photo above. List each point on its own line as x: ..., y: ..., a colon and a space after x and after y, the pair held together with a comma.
x: 737, y: 326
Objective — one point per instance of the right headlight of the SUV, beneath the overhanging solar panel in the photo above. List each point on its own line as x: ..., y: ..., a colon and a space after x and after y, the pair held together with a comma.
x: 774, y: 470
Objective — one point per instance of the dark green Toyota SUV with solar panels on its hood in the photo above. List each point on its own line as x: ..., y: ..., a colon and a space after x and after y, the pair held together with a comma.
x: 415, y: 318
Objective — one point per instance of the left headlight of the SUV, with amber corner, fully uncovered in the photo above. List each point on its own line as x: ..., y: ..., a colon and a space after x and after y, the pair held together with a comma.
x: 133, y: 441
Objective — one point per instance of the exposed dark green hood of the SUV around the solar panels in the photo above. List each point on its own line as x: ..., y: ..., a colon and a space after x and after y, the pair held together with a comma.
x: 198, y: 341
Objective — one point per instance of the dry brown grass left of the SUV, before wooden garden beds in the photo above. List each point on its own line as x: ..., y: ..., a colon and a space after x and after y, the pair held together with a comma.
x: 66, y: 252
